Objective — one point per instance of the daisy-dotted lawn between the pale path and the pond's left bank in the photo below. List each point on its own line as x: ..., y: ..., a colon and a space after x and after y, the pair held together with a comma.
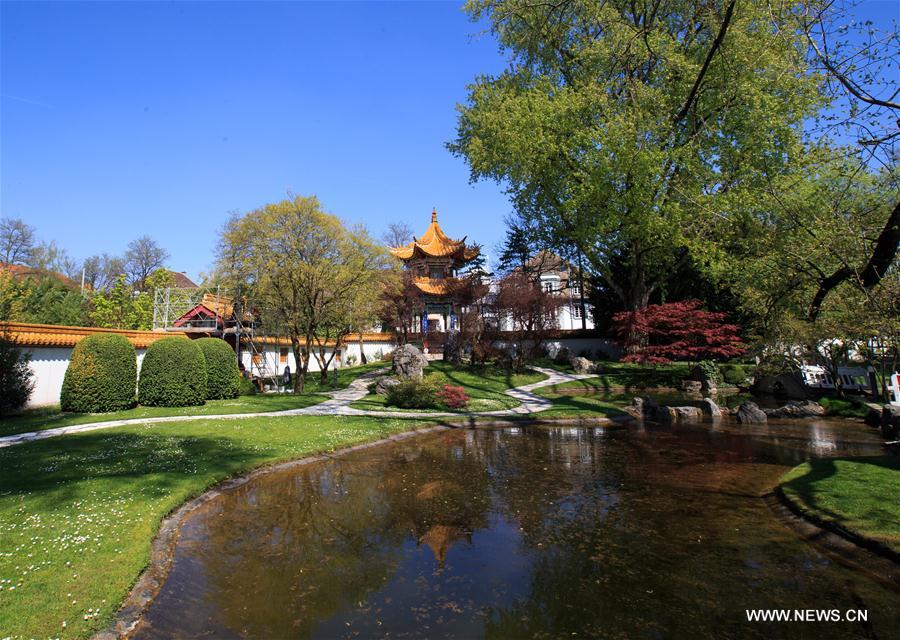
x: 78, y: 512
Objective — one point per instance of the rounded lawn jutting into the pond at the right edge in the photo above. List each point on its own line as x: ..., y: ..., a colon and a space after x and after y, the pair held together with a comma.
x: 859, y: 494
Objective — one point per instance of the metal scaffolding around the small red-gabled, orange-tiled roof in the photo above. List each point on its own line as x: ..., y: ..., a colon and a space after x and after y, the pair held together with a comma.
x: 211, y: 312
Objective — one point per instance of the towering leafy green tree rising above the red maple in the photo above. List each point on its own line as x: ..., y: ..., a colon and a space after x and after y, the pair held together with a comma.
x: 623, y: 127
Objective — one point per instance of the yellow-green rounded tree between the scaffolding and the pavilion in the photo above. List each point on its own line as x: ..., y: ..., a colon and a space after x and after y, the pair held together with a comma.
x: 311, y: 277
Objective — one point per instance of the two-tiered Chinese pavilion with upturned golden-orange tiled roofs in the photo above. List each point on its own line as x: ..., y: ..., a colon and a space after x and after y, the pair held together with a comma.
x: 434, y: 260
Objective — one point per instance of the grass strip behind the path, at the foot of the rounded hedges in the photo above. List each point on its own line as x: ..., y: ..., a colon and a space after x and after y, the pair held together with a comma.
x: 51, y: 417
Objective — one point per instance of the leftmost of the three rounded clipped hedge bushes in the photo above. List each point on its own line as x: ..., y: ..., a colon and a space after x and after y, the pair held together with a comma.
x: 102, y: 375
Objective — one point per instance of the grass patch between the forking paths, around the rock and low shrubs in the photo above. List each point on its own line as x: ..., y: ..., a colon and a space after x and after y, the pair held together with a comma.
x: 485, y: 386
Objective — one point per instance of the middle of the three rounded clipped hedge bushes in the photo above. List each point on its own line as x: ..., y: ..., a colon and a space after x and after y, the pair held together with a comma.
x: 173, y: 374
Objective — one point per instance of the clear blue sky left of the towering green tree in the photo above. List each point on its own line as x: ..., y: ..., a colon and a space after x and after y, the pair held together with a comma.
x: 123, y: 119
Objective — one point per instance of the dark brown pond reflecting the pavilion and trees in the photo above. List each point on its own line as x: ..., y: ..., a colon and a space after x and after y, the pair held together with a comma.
x: 638, y: 532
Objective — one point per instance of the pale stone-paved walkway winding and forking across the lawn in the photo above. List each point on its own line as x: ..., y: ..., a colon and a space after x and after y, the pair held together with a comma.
x: 337, y: 405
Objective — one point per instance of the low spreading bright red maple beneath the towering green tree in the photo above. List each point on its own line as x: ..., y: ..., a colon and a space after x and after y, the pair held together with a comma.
x: 661, y: 333
